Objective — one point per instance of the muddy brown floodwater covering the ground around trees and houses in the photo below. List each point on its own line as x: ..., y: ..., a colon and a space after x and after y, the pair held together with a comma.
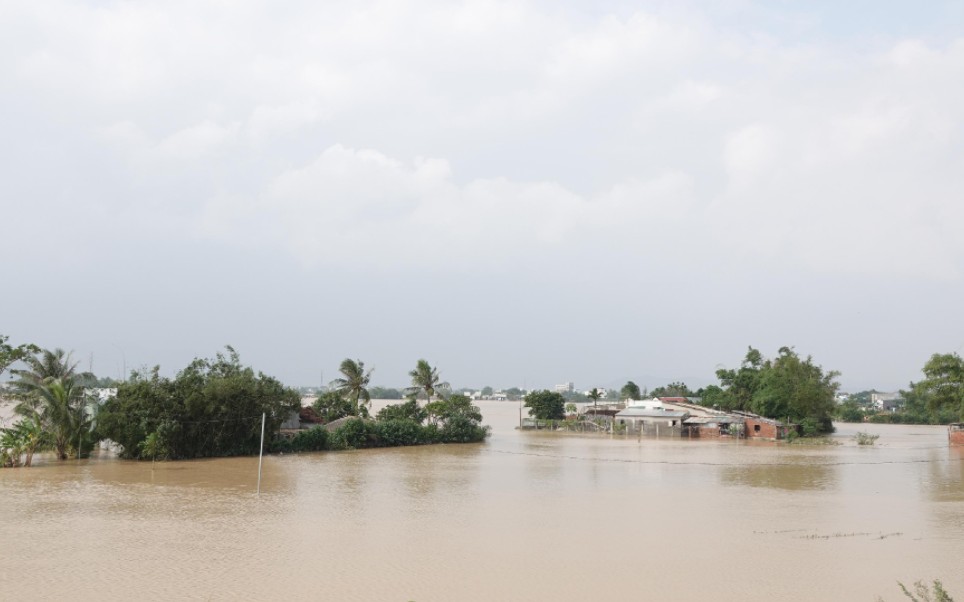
x: 525, y: 516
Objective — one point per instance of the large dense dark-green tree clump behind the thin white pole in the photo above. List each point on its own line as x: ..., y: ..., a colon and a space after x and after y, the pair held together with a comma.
x: 211, y: 408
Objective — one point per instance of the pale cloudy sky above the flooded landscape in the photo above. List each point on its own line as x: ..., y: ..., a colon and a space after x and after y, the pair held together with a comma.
x: 523, y: 193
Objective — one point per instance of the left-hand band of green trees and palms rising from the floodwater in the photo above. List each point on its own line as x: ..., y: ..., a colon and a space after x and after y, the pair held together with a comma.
x: 211, y: 408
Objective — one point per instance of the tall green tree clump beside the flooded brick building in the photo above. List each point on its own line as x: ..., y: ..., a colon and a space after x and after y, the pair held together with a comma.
x: 786, y: 387
